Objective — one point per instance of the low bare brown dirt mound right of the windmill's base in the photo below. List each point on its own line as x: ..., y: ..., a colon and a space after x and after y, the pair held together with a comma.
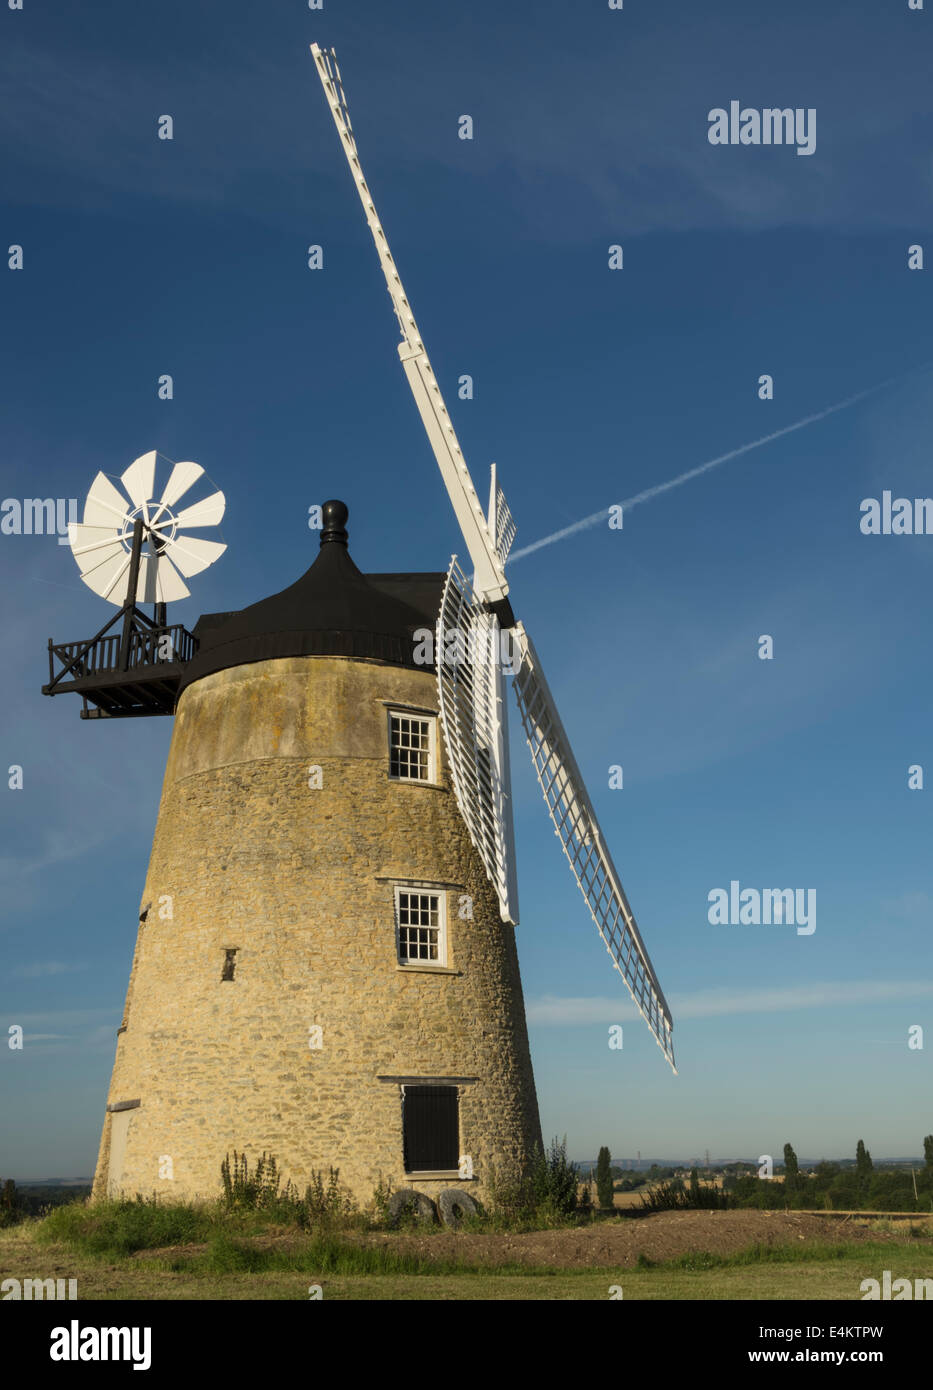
x: 661, y: 1236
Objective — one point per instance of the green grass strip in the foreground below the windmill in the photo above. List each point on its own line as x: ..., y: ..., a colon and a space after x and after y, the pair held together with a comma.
x: 130, y: 1250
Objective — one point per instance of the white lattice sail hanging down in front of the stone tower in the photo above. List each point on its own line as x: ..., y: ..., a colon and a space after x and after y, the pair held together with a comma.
x: 475, y: 723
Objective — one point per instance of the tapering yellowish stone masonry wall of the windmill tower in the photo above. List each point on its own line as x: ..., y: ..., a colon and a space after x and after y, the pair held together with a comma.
x: 300, y: 882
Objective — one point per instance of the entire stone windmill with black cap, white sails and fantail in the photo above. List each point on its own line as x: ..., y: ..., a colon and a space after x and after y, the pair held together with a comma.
x: 326, y: 965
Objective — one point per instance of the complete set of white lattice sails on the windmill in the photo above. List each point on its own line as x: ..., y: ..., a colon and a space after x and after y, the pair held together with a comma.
x: 475, y: 616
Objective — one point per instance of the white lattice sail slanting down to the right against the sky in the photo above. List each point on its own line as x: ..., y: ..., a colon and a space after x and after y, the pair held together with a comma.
x: 579, y: 832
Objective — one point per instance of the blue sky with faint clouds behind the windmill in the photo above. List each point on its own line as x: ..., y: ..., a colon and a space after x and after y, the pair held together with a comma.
x: 592, y: 386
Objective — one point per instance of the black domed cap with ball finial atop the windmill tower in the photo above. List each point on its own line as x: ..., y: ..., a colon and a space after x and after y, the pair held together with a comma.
x: 333, y: 611
